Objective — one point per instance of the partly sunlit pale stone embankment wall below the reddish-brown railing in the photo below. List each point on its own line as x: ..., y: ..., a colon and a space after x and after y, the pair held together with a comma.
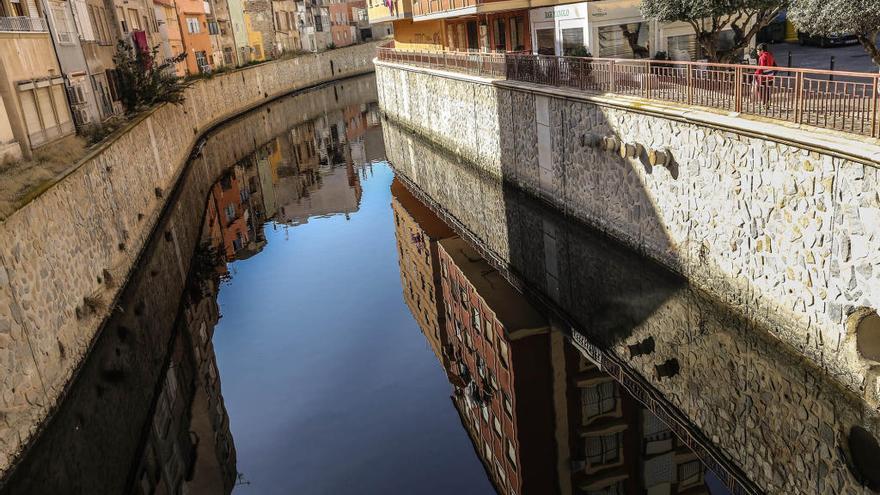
x: 787, y: 235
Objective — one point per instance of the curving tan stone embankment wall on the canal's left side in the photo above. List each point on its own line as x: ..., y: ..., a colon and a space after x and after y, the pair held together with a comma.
x: 69, y: 249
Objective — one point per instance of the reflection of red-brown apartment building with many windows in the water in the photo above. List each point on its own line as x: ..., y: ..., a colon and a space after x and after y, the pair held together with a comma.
x: 542, y: 415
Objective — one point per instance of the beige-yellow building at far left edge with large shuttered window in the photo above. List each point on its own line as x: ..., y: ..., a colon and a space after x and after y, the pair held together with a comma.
x: 35, y: 110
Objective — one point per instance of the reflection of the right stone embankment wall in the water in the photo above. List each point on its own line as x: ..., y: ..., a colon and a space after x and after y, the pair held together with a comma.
x: 768, y: 410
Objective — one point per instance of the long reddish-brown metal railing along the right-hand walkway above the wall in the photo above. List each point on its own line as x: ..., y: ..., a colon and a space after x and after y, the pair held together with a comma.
x: 843, y: 101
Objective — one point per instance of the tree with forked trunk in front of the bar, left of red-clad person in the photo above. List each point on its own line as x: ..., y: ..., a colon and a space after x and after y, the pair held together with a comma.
x: 710, y: 17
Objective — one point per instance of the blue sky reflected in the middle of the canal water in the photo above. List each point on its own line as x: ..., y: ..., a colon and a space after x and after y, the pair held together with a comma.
x: 329, y: 384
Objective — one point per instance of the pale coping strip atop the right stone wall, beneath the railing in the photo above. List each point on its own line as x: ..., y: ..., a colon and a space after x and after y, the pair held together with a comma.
x: 835, y: 143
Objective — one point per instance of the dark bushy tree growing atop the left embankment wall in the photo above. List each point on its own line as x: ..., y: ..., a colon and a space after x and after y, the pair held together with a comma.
x: 142, y: 81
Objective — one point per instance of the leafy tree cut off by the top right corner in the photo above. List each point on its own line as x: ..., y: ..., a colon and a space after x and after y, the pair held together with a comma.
x: 832, y: 17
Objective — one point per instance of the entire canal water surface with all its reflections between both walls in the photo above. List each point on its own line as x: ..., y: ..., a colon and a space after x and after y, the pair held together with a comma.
x: 332, y: 305
